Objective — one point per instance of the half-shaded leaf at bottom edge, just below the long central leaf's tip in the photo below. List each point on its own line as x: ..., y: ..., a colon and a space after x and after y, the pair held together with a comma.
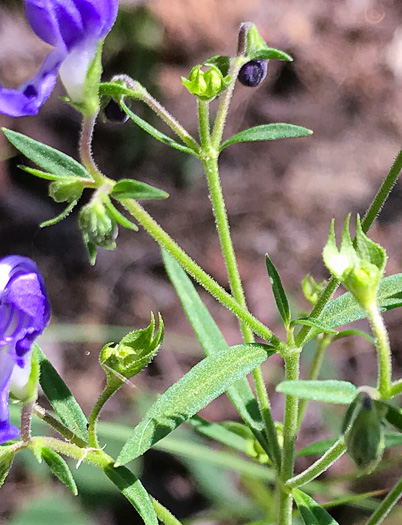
x: 131, y: 487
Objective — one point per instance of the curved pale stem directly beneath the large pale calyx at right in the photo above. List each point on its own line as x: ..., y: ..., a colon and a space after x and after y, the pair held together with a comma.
x: 383, y: 349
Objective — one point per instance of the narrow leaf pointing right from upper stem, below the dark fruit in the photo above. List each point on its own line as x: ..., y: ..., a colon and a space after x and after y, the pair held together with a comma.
x: 268, y: 132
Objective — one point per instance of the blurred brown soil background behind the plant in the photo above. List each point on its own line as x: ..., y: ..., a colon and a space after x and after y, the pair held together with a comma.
x: 345, y: 84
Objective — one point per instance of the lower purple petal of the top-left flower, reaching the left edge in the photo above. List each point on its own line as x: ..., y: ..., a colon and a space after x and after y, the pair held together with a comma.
x: 28, y: 98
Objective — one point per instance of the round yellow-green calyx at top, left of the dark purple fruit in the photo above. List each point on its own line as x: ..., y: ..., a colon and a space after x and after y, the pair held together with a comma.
x: 206, y: 85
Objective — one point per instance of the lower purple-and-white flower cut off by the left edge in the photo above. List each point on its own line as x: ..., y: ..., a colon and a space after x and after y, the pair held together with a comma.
x: 24, y: 314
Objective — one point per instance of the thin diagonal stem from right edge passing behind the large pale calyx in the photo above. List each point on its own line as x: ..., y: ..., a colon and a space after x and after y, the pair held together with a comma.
x: 369, y: 217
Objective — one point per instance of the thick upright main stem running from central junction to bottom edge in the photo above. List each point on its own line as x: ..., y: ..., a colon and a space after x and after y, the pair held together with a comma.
x: 289, y: 436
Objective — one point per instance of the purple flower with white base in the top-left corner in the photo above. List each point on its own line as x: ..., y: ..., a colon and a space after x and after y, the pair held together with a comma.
x: 74, y: 28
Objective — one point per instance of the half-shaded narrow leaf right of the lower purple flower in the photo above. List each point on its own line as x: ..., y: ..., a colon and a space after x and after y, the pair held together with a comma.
x: 61, y: 399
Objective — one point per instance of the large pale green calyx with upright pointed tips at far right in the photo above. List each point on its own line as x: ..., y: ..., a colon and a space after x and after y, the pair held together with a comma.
x: 358, y: 265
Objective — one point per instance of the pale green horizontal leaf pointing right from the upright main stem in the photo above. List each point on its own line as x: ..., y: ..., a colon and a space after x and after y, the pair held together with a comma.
x: 331, y: 391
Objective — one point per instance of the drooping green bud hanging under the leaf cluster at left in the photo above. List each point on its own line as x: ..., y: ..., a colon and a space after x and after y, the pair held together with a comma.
x: 99, y: 227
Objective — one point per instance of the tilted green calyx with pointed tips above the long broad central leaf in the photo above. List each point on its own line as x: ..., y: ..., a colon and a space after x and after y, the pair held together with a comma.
x: 134, y: 352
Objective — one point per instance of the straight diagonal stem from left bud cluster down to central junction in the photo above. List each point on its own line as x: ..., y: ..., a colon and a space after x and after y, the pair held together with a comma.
x: 205, y: 280
